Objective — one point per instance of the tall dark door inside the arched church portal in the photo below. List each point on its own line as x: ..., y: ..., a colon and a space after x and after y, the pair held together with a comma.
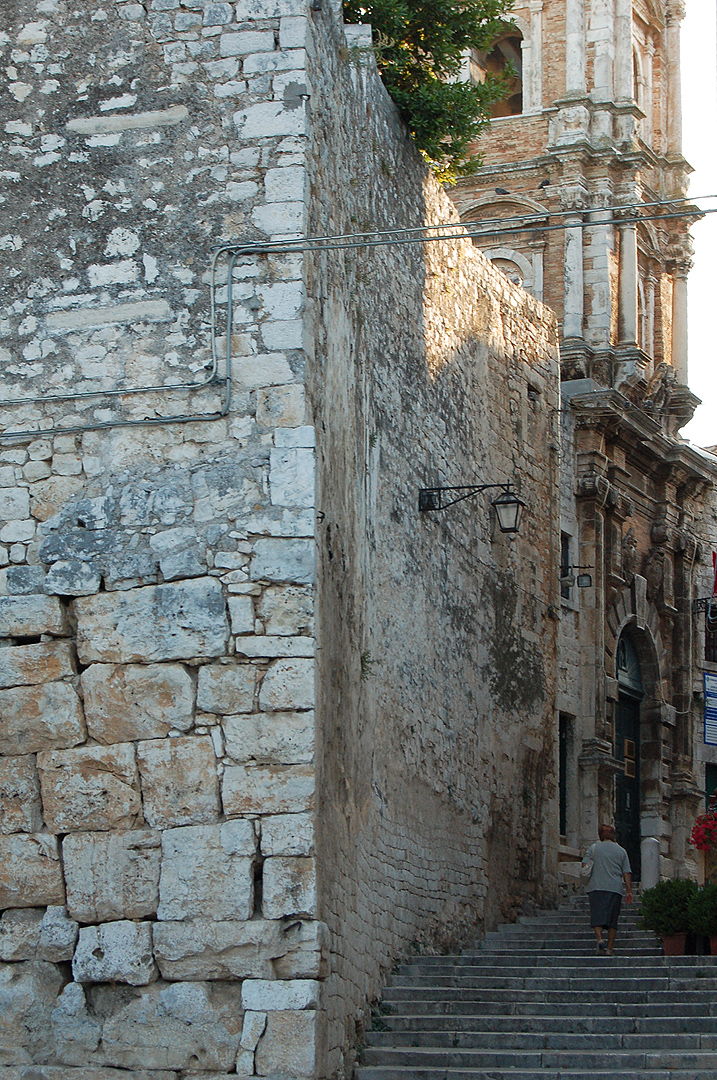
x: 628, y: 752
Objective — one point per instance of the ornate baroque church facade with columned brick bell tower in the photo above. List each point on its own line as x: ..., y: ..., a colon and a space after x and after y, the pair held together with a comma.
x: 584, y: 163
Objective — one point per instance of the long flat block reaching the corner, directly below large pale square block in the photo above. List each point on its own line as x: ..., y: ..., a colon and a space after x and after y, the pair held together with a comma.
x: 260, y: 949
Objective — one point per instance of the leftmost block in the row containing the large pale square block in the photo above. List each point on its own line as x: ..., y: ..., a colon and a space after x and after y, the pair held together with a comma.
x: 31, y: 874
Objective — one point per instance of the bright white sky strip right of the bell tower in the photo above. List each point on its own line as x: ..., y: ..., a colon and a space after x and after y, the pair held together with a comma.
x: 700, y: 148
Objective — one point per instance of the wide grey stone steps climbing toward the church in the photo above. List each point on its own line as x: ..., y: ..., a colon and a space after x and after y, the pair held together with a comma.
x: 536, y: 1003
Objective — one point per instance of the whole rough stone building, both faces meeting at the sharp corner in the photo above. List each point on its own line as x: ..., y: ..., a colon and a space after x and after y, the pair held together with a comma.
x: 165, y: 550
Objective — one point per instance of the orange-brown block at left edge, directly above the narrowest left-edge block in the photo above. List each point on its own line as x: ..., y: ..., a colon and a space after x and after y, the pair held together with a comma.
x: 40, y: 718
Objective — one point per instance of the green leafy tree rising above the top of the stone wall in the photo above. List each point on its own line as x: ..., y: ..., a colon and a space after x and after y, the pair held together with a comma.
x: 420, y: 49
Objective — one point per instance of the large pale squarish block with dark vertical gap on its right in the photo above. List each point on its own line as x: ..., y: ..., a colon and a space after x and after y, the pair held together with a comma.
x: 208, y: 870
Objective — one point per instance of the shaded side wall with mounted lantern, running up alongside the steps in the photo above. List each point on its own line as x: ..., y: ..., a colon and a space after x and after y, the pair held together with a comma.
x: 437, y: 661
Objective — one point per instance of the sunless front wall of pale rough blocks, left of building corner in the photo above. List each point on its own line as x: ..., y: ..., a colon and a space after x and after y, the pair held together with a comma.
x: 157, y: 541
